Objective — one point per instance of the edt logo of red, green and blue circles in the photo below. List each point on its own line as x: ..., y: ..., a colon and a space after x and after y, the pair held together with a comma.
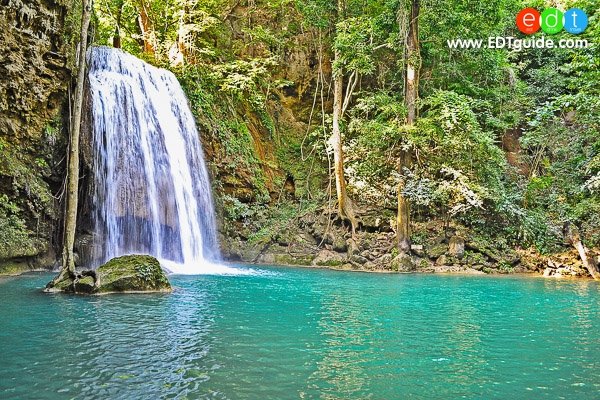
x: 552, y: 21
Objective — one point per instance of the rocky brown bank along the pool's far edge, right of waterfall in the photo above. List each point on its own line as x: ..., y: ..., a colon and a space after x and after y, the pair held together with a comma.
x: 317, y: 238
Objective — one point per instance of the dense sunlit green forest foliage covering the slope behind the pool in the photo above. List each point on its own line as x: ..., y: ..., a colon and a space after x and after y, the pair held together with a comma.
x: 246, y: 68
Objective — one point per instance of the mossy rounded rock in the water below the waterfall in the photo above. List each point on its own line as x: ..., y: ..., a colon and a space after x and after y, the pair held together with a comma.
x: 125, y: 274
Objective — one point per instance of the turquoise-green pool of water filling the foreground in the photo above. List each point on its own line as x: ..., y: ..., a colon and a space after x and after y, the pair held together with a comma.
x: 309, y: 334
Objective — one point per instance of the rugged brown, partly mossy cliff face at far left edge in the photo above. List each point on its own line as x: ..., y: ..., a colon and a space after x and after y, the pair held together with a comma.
x: 33, y: 80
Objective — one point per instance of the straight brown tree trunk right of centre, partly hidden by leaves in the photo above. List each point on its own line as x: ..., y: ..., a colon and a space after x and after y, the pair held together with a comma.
x: 412, y: 64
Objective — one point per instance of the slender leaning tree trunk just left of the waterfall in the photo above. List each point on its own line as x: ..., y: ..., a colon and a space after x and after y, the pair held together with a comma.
x: 68, y: 261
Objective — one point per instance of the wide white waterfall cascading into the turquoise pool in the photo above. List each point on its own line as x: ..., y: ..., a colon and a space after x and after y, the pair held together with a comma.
x: 151, y: 190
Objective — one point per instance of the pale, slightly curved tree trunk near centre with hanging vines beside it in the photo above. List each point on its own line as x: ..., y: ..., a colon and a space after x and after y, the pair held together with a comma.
x: 345, y: 207
